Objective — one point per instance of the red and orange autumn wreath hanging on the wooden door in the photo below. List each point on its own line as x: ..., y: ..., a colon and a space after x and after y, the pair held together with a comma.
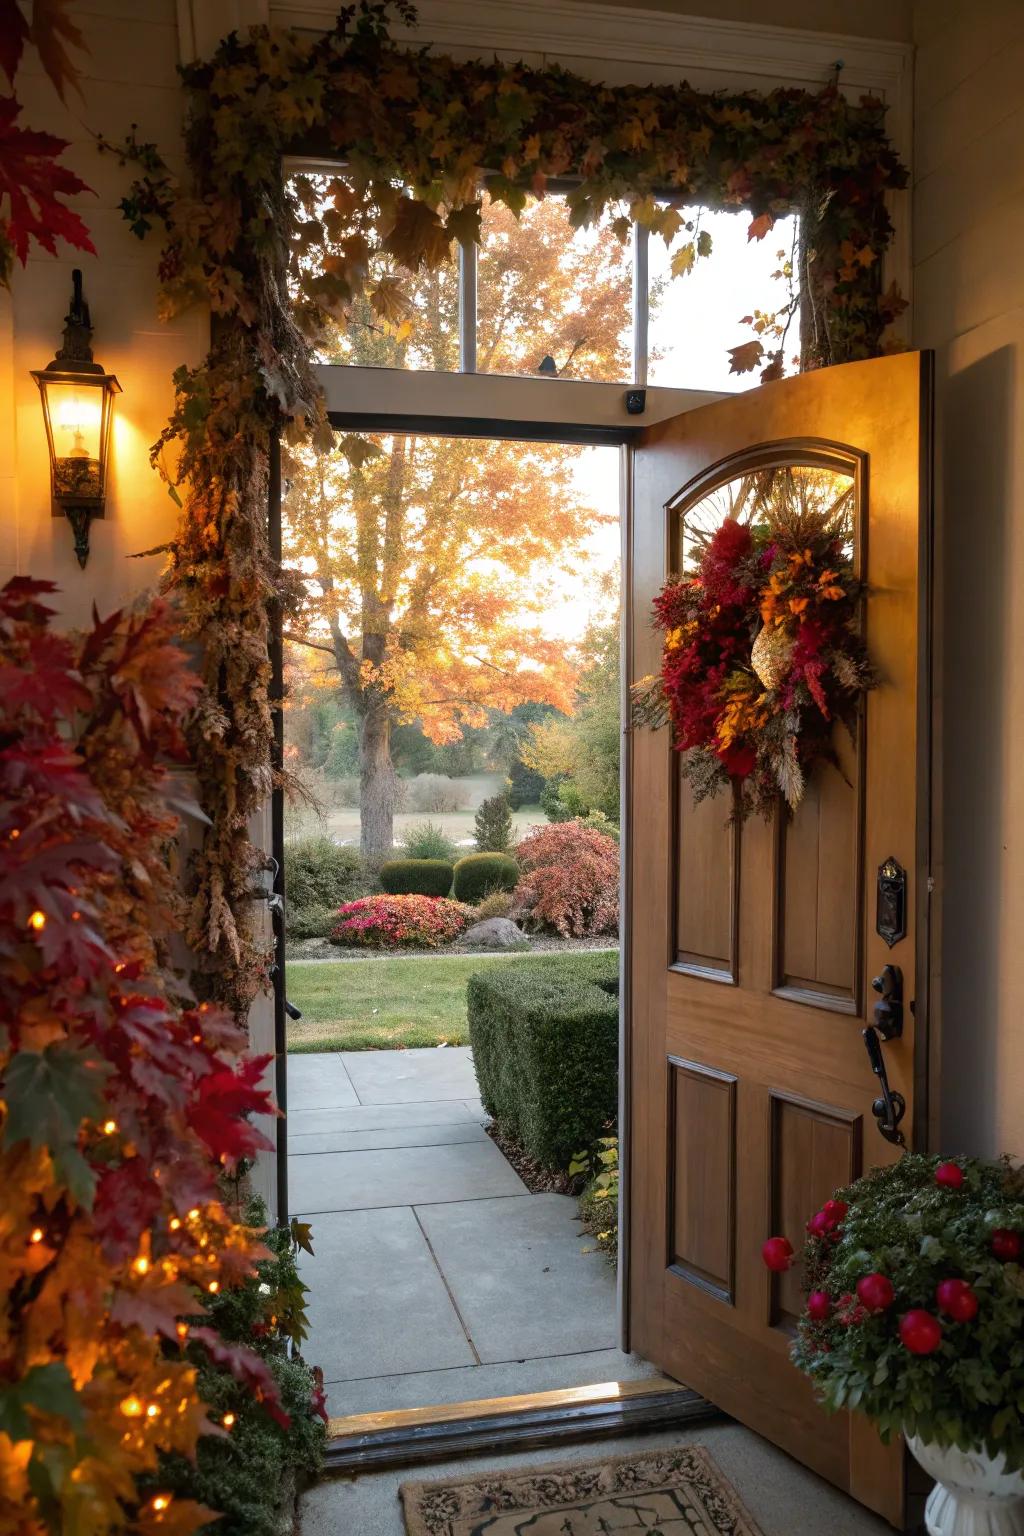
x: 764, y: 649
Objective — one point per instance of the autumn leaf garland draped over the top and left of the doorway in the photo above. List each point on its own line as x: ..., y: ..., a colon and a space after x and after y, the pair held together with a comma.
x: 415, y: 131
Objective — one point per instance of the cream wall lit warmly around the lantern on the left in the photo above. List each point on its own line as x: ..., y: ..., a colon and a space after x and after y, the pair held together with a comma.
x: 130, y: 76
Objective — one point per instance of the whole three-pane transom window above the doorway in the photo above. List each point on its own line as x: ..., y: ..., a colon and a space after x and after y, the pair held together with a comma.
x: 538, y: 297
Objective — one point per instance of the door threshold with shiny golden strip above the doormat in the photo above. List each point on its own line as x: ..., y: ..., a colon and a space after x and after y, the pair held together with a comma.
x: 406, y: 1437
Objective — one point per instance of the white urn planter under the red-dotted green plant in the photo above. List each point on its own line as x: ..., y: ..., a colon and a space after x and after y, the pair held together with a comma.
x: 974, y: 1494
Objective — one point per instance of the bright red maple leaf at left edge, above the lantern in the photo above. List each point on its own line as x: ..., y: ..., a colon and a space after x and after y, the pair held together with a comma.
x: 33, y: 184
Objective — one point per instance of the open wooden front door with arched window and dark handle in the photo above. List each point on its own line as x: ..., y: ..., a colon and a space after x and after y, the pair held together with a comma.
x: 755, y: 947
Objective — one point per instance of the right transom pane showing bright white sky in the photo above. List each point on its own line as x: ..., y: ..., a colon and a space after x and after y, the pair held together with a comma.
x: 696, y: 317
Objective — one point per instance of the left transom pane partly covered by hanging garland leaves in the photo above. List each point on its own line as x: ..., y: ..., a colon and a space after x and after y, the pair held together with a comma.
x: 401, y: 320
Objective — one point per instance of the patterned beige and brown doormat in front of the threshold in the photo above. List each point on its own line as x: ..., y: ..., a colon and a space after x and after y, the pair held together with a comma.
x: 681, y: 1492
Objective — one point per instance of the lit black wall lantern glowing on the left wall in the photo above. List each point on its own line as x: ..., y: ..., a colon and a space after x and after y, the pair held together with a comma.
x: 78, y: 408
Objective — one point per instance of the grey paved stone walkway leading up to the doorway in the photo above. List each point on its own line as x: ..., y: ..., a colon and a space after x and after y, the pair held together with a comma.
x: 438, y: 1277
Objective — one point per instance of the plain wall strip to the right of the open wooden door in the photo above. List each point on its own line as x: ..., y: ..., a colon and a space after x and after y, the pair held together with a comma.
x: 969, y: 305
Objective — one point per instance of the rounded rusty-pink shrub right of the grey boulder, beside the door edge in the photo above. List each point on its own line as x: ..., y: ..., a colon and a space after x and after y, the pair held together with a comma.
x: 570, y: 881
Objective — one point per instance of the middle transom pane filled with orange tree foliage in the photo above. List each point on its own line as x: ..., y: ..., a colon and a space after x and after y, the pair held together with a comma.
x: 547, y: 291
